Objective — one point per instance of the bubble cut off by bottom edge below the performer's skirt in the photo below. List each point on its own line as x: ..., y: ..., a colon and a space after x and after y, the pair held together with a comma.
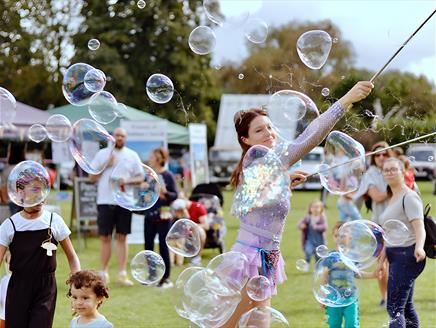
x: 263, y: 316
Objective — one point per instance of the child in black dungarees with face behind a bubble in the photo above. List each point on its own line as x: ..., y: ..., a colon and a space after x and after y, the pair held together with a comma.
x: 31, y: 236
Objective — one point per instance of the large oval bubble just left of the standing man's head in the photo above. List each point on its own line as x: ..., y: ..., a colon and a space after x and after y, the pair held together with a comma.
x: 87, y: 138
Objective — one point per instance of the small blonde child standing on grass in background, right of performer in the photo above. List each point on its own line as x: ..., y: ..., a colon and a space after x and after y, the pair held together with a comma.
x: 313, y: 227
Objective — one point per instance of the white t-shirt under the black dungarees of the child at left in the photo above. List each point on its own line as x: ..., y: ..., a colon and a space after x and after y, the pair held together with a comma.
x: 59, y: 229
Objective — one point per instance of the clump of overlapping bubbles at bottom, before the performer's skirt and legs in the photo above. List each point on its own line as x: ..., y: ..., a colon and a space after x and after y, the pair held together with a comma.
x: 208, y: 296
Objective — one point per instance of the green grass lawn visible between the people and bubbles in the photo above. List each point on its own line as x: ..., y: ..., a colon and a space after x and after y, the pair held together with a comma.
x: 142, y: 306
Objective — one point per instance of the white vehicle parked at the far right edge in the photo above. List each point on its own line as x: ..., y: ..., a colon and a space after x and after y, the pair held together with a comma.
x: 423, y: 158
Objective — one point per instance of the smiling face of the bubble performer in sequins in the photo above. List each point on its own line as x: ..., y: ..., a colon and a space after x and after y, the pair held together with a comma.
x: 260, y: 132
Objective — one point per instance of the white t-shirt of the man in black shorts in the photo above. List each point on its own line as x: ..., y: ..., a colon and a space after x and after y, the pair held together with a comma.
x: 125, y: 155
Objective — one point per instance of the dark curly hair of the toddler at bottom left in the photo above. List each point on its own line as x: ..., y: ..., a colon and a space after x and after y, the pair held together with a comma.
x: 88, y: 279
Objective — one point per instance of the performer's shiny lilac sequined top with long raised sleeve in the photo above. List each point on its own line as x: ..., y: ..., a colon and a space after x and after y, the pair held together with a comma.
x: 262, y: 198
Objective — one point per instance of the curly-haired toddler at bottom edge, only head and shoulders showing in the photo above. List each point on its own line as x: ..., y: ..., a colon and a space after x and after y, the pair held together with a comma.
x: 87, y: 292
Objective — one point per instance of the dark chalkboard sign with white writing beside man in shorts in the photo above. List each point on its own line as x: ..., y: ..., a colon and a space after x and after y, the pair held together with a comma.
x: 85, y: 196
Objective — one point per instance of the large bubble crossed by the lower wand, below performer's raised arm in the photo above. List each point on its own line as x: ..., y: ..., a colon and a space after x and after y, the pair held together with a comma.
x: 345, y: 158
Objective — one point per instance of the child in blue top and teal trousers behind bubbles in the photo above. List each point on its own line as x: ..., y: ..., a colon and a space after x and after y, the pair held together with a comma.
x: 340, y: 276
